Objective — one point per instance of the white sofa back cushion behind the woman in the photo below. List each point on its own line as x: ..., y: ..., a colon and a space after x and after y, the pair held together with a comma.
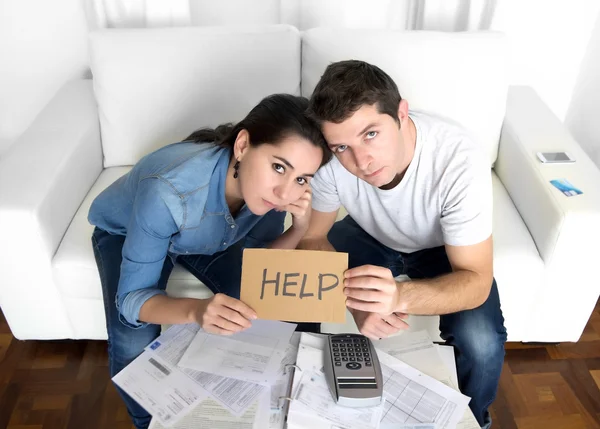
x: 156, y: 86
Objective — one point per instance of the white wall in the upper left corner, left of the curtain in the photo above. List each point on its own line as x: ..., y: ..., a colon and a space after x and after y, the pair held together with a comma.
x: 42, y: 45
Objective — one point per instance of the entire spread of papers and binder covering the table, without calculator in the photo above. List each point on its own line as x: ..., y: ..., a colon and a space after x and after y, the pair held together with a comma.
x: 189, y: 379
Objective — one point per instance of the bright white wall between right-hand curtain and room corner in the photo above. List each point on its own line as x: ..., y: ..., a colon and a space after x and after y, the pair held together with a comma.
x: 548, y: 41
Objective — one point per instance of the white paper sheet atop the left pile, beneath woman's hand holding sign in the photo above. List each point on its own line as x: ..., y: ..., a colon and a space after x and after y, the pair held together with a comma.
x: 253, y: 355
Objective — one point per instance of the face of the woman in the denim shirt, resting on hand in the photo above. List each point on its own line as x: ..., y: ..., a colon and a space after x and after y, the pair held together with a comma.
x: 273, y: 175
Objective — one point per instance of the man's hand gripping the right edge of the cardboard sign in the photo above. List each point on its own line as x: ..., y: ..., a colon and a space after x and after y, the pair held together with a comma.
x: 371, y: 288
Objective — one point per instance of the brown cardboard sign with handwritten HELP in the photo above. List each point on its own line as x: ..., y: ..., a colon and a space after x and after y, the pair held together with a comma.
x: 295, y: 285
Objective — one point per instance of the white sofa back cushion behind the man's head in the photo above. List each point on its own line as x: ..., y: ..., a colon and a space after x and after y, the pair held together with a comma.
x: 462, y: 76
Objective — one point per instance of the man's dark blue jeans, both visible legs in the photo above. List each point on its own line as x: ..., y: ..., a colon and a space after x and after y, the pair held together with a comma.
x: 477, y: 335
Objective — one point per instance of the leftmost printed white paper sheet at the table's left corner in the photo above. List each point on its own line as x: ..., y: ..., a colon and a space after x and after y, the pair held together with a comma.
x: 162, y: 389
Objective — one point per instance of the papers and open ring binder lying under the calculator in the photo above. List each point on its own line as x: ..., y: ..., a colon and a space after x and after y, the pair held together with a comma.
x: 412, y: 399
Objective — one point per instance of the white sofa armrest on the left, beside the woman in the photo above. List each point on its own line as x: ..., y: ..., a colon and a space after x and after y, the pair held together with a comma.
x: 44, y: 177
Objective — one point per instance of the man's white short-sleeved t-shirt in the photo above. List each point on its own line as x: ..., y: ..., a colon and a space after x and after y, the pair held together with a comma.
x: 445, y: 197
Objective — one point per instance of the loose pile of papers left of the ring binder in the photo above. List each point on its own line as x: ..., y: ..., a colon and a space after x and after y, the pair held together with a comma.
x: 188, y: 378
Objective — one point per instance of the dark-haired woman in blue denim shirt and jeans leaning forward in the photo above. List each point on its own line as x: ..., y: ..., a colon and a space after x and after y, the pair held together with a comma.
x: 200, y: 202
